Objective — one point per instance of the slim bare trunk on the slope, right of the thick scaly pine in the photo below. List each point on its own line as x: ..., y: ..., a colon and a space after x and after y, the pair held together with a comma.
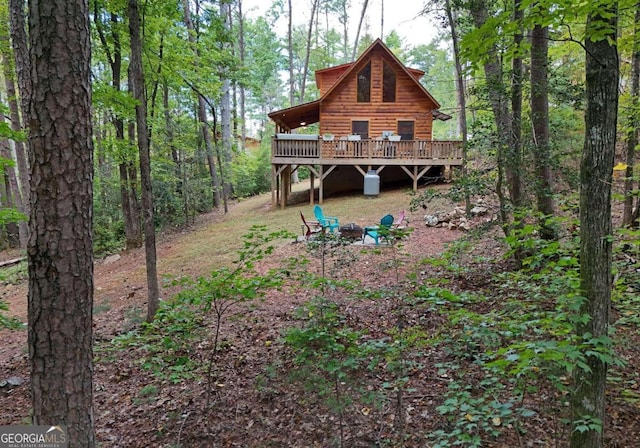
x: 137, y: 76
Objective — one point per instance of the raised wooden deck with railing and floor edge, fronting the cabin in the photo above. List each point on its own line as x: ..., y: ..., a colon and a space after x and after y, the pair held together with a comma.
x: 366, y: 152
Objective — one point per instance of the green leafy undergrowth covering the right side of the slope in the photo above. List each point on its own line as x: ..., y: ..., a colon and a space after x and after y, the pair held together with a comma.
x: 506, y: 352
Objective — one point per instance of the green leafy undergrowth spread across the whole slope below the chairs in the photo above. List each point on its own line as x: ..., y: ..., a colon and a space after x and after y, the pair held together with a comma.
x: 498, y: 357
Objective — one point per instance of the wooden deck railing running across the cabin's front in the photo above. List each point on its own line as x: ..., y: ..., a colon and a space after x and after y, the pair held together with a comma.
x: 366, y: 149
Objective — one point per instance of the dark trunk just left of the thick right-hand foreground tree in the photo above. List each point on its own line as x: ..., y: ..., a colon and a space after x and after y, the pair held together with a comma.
x: 540, y: 124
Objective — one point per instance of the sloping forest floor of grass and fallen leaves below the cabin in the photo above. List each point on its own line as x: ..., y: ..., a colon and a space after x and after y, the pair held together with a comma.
x: 248, y: 390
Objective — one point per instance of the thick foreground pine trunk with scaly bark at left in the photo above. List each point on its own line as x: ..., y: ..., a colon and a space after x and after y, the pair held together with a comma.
x: 60, y: 251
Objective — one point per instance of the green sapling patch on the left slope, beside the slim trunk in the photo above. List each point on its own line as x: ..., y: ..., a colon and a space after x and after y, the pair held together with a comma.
x: 171, y: 347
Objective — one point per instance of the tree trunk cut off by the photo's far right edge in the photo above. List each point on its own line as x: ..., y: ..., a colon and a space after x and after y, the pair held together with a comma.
x: 632, y: 134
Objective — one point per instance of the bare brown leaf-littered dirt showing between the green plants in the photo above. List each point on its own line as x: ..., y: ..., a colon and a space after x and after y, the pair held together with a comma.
x: 250, y: 404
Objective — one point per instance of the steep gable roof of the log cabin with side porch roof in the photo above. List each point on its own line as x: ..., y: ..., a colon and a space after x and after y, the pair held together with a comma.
x: 308, y: 113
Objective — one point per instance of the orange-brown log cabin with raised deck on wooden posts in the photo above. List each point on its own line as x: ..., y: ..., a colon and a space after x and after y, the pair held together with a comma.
x: 375, y: 118
